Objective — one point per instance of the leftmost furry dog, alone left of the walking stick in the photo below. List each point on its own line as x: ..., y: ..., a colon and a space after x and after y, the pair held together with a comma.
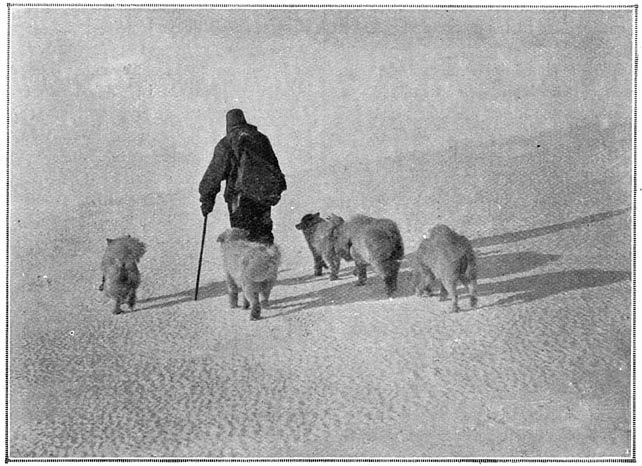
x: 119, y: 266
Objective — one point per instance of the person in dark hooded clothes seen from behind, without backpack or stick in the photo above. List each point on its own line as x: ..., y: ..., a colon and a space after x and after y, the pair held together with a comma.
x: 248, y: 213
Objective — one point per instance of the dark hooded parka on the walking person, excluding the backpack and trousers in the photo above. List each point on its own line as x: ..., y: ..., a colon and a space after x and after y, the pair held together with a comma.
x: 223, y: 167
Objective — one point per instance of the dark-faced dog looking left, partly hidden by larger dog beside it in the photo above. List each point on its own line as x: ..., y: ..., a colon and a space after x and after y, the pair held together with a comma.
x: 319, y: 234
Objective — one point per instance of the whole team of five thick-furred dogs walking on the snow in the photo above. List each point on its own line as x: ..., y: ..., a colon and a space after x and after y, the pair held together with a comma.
x: 443, y: 259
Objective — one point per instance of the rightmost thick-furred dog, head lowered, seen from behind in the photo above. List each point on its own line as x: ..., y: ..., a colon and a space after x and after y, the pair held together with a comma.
x: 447, y: 257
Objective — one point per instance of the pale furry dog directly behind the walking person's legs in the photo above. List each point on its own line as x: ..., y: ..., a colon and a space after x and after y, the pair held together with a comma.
x: 250, y: 266
